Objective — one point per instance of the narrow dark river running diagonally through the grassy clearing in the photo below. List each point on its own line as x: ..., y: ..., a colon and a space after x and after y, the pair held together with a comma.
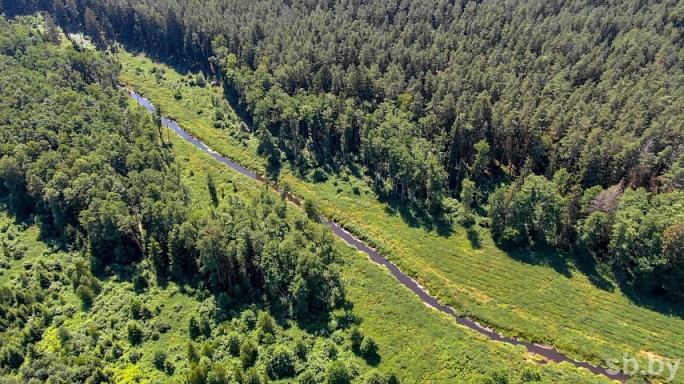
x: 546, y: 352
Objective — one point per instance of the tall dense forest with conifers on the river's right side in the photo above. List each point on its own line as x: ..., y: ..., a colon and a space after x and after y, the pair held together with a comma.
x: 492, y: 107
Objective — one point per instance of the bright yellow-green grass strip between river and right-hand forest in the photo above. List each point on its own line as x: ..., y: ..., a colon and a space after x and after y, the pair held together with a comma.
x: 536, y: 295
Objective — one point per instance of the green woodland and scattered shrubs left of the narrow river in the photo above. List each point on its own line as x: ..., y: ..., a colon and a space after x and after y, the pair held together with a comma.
x: 99, y: 182
